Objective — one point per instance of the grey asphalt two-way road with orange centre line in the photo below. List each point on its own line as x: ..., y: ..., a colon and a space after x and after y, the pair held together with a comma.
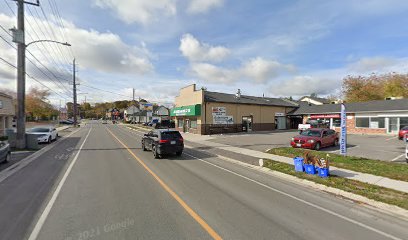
x: 106, y: 187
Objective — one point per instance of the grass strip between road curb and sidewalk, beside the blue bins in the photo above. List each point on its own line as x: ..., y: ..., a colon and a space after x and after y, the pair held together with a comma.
x: 370, y: 191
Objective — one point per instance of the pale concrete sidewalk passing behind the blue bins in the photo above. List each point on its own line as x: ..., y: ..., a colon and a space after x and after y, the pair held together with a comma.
x: 362, y: 177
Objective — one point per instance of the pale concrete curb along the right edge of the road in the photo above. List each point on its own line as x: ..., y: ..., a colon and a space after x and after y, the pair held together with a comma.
x: 383, y: 207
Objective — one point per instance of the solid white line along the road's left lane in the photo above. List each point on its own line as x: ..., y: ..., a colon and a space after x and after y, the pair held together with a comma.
x: 44, y: 215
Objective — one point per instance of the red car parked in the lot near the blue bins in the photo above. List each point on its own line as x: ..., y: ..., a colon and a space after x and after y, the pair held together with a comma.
x: 315, y: 138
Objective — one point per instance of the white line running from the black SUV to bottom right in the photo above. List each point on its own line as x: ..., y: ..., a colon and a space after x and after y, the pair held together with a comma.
x: 300, y: 200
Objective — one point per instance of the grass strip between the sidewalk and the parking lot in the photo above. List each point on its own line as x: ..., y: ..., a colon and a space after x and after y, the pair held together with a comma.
x: 391, y: 170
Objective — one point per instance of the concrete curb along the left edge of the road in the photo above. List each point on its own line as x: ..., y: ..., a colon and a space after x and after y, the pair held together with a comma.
x: 4, y: 174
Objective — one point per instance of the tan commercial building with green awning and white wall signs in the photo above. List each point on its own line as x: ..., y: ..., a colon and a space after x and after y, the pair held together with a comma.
x: 204, y: 112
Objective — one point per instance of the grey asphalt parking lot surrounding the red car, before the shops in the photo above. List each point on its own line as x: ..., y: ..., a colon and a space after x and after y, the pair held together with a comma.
x: 381, y: 147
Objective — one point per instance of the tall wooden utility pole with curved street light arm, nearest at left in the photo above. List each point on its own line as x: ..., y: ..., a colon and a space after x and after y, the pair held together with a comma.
x: 18, y: 37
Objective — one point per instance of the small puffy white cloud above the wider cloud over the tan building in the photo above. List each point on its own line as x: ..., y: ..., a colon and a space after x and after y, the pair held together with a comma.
x: 195, y: 51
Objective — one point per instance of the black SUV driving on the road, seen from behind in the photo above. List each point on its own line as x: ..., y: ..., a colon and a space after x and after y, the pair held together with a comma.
x: 163, y: 141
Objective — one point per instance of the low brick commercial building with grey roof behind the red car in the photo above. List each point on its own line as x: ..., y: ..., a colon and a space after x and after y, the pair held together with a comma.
x: 373, y: 117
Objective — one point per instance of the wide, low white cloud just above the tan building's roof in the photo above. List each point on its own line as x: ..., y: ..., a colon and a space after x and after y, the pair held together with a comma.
x: 257, y: 70
